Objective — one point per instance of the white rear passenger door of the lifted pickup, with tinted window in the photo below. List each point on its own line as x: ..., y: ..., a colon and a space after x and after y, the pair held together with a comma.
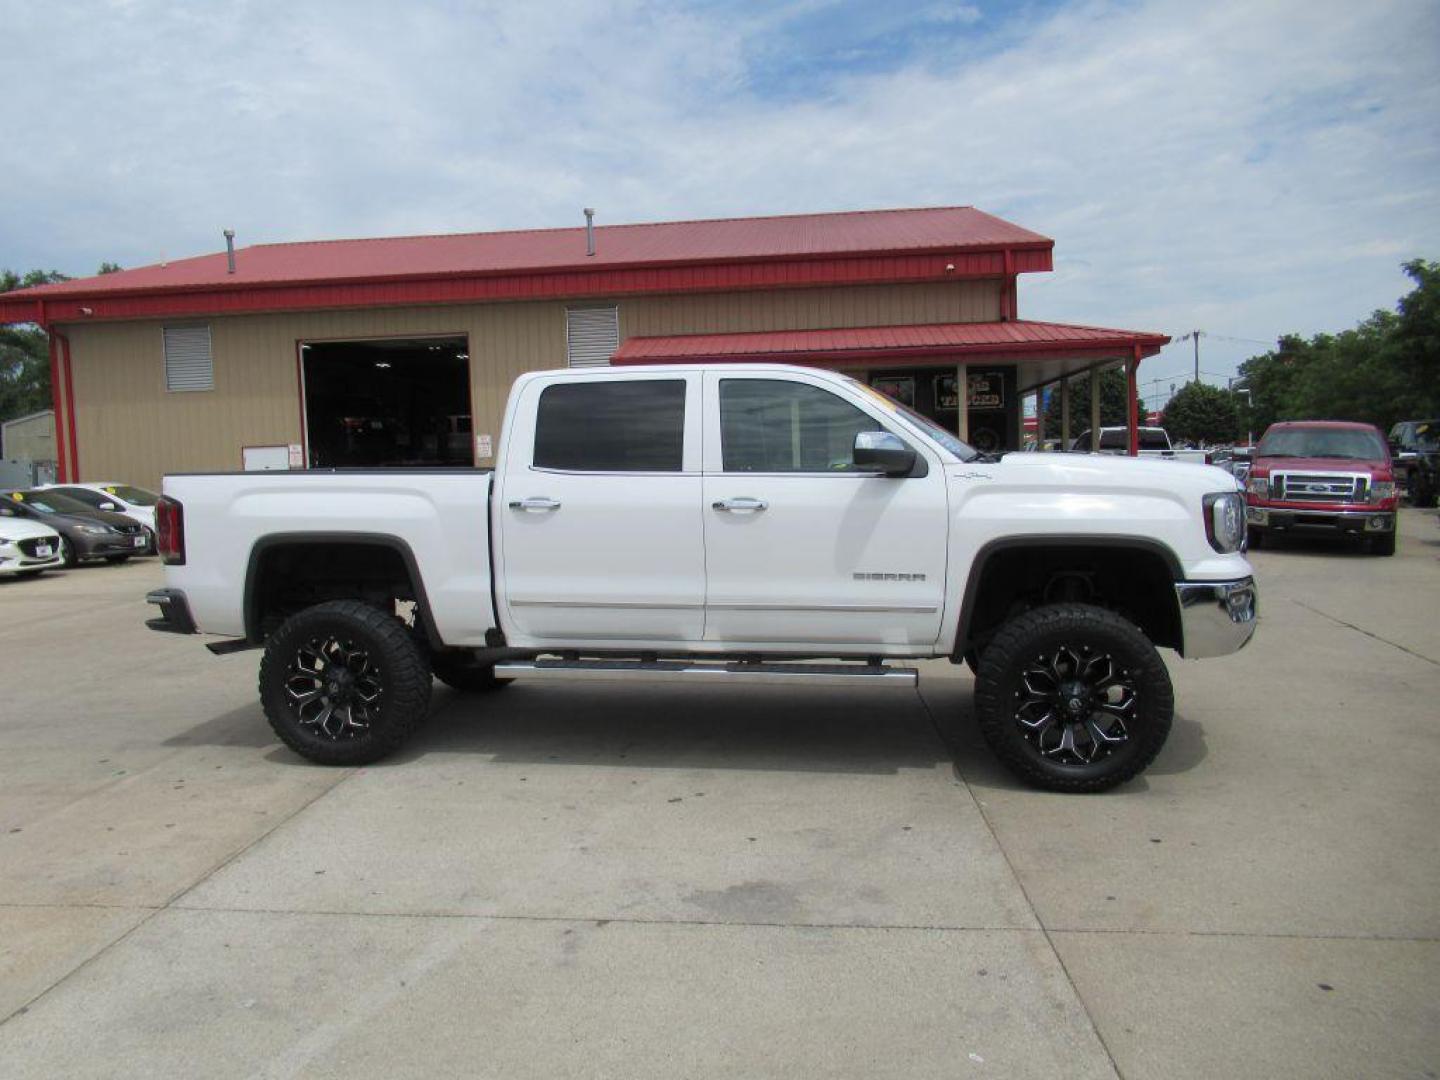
x: 597, y: 515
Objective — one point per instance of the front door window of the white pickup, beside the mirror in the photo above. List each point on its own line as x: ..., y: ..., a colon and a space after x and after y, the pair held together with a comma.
x: 768, y: 426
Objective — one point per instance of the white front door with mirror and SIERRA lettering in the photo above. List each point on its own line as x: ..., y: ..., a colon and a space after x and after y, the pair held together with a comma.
x: 801, y: 548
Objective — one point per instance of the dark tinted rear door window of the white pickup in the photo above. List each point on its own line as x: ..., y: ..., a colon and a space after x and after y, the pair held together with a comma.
x: 613, y: 427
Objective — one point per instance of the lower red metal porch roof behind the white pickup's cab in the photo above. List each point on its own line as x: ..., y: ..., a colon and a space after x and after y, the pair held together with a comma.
x: 894, y: 343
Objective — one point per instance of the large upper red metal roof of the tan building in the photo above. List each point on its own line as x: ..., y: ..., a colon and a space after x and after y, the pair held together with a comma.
x: 283, y: 270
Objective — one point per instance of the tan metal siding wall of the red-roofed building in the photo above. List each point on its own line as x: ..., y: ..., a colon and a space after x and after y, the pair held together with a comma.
x: 132, y: 430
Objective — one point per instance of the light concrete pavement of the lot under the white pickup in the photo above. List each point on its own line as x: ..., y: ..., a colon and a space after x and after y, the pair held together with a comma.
x: 629, y: 882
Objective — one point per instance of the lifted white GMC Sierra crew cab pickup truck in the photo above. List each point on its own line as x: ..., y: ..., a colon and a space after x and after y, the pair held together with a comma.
x: 724, y: 525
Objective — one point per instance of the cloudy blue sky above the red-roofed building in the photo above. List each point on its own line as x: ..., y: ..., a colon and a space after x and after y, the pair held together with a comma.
x: 1246, y: 169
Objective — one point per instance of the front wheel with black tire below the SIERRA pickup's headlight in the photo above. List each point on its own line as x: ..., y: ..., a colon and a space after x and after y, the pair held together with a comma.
x: 1074, y: 698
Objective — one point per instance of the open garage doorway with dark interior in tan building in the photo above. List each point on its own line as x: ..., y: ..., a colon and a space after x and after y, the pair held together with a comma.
x: 388, y: 402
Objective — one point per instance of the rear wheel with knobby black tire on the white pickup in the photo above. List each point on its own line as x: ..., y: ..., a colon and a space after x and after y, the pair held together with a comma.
x: 343, y: 683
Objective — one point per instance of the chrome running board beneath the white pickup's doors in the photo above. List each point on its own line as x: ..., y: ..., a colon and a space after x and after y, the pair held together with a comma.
x: 702, y: 672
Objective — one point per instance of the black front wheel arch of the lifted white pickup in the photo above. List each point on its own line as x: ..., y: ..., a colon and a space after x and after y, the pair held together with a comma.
x: 1161, y: 562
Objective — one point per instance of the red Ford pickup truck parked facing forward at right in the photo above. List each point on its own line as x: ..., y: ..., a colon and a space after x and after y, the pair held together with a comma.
x: 1323, y: 476
